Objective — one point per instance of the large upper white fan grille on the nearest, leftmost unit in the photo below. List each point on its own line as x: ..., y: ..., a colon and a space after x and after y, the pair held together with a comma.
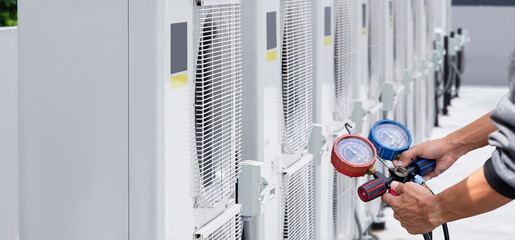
x: 218, y: 103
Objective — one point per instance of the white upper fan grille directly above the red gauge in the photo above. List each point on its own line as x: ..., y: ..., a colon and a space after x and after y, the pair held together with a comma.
x: 345, y: 58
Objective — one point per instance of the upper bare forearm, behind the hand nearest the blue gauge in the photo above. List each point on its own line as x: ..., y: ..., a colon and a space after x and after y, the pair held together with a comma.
x: 470, y: 137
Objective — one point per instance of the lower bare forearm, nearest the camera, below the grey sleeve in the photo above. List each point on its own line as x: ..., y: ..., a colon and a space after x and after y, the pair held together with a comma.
x: 470, y: 197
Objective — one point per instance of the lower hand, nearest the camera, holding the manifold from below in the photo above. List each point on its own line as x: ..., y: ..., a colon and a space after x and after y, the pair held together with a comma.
x: 412, y: 207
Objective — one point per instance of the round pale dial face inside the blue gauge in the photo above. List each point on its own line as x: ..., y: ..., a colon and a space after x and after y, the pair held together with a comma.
x: 391, y: 135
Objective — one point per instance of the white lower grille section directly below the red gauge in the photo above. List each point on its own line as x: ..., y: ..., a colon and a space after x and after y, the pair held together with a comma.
x: 343, y: 210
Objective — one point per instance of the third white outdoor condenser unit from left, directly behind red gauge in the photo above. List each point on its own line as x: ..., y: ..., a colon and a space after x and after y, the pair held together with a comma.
x: 335, y: 95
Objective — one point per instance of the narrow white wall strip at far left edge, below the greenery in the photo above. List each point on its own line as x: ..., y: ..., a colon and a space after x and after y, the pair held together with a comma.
x: 8, y: 134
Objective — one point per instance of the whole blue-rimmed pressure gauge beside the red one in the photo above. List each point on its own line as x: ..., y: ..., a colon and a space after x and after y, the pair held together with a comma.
x: 390, y: 138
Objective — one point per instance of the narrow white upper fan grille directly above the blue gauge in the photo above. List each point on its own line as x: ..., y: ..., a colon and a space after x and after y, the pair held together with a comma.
x: 375, y: 49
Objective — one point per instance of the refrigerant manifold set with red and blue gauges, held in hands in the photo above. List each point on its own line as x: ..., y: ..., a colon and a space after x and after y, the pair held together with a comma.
x: 354, y: 156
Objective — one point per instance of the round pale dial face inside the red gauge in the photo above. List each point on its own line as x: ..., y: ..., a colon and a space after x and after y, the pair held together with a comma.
x: 355, y: 151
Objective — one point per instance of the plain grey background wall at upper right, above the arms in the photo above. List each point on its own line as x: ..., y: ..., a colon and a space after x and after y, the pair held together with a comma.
x: 492, y: 38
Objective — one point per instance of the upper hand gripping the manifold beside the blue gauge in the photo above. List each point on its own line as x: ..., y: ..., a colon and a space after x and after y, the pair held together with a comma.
x: 438, y: 150
